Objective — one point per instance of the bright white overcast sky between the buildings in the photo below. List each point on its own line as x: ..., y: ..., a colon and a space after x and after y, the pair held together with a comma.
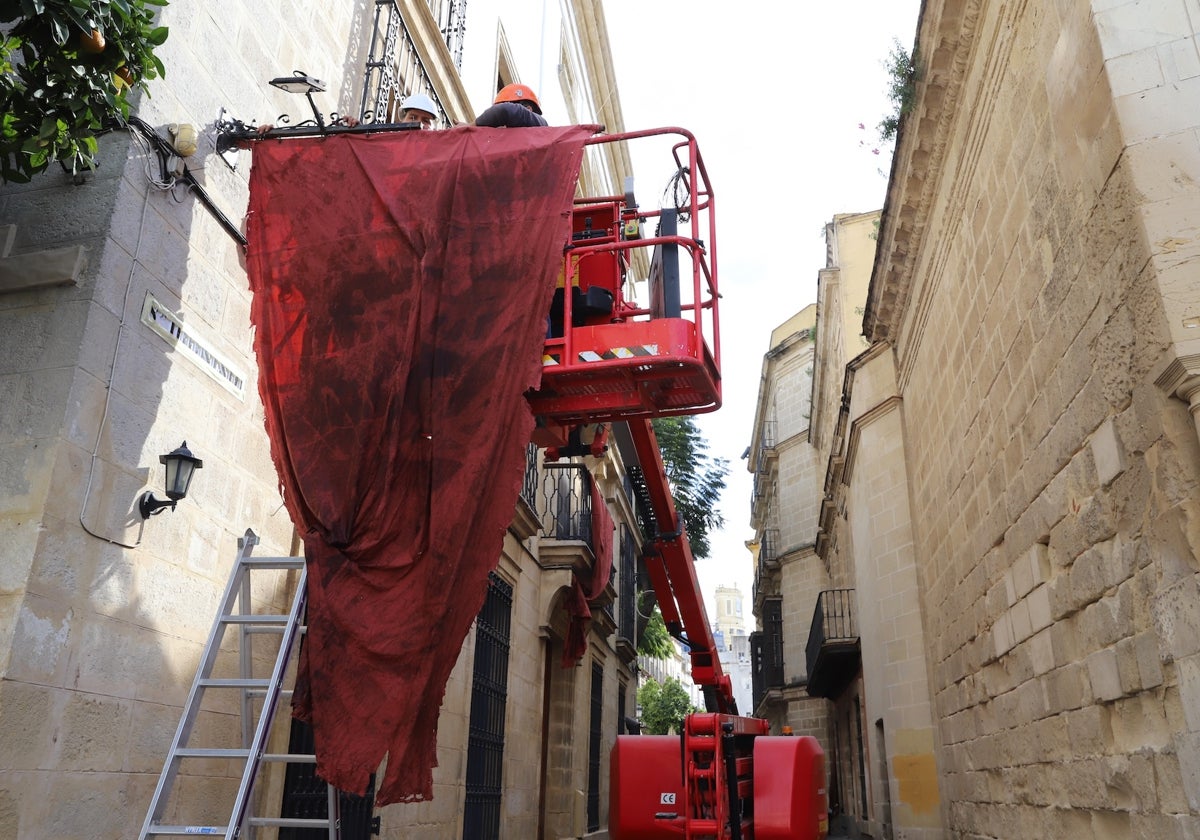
x: 784, y: 99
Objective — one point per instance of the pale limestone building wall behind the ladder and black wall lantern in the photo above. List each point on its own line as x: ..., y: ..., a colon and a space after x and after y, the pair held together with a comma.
x: 103, y: 619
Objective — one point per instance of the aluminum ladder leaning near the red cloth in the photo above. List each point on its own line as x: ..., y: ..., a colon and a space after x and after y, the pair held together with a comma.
x: 237, y: 611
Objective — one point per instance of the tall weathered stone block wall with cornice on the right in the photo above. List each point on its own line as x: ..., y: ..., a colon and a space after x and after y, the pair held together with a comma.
x: 1055, y: 484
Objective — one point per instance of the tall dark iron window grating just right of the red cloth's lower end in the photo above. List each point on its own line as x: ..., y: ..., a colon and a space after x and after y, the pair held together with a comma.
x: 489, y: 700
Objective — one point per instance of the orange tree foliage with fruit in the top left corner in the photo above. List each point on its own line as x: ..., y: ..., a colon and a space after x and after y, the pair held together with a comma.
x: 67, y: 69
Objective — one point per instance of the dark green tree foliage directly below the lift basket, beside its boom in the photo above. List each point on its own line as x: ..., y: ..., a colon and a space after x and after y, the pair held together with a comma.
x: 697, y: 479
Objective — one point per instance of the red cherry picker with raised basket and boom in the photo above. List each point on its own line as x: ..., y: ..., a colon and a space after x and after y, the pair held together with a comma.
x: 613, y: 358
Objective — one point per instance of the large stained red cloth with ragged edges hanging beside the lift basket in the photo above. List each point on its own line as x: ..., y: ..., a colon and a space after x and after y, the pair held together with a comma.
x: 401, y: 284
